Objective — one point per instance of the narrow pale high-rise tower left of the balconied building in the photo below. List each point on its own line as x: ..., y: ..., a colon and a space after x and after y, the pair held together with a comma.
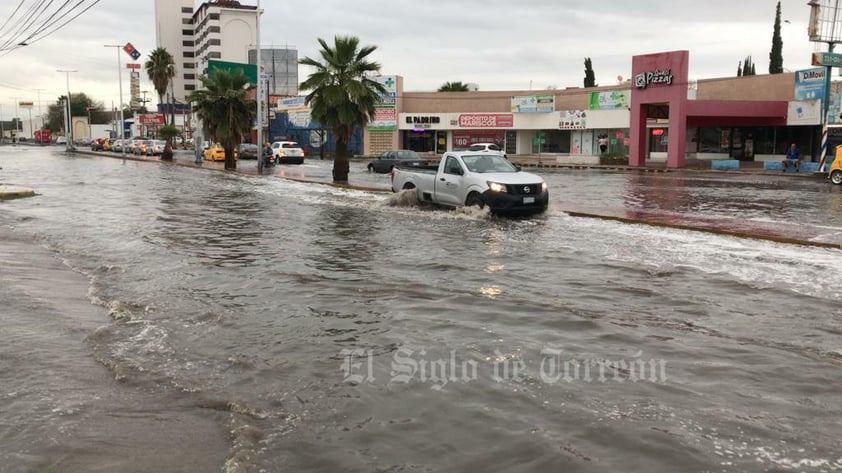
x: 174, y: 32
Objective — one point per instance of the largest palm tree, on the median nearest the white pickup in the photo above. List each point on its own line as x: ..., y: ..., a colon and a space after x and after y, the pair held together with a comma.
x: 343, y: 94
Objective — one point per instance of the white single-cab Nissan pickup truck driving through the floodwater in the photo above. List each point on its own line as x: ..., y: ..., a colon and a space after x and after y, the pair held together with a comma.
x: 468, y: 178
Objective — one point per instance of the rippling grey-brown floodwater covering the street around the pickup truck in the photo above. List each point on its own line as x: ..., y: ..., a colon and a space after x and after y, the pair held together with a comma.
x: 159, y: 318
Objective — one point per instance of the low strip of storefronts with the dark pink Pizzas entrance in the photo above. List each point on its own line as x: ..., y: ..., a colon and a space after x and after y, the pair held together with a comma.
x: 659, y: 115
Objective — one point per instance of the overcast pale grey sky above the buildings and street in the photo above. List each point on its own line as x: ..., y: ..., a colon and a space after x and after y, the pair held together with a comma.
x: 498, y: 44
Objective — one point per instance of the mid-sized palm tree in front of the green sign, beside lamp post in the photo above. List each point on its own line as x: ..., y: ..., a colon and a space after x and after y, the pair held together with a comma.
x: 225, y: 110
